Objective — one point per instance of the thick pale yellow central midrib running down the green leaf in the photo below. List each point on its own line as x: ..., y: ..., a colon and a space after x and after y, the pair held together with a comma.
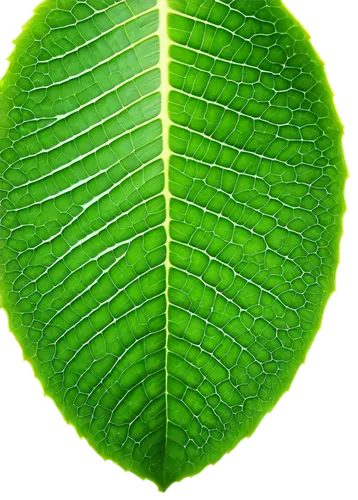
x: 164, y: 116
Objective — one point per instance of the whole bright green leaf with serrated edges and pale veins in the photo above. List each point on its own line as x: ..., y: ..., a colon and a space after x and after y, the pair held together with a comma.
x: 172, y: 202
